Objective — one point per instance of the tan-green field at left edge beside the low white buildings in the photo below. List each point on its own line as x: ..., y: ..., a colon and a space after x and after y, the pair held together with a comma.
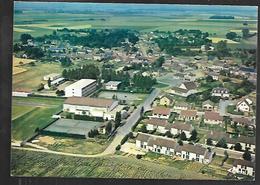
x: 33, y: 76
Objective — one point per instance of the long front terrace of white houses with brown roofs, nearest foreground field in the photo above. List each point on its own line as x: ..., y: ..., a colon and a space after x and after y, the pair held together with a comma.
x: 170, y: 147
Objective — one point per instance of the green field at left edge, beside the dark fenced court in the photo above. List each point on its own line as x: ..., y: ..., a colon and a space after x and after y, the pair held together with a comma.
x: 31, y: 113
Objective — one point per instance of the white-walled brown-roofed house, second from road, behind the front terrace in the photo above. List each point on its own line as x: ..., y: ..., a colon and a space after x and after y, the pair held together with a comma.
x: 179, y: 127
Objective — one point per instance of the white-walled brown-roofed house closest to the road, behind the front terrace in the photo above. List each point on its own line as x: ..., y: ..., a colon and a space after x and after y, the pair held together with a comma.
x: 156, y: 124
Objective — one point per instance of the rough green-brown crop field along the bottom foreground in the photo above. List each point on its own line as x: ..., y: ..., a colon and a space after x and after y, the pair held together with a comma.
x: 28, y: 163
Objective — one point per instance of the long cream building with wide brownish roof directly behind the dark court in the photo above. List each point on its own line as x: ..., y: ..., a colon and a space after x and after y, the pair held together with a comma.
x: 93, y: 107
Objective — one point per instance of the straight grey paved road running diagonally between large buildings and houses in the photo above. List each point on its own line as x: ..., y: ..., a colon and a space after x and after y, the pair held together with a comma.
x: 131, y: 120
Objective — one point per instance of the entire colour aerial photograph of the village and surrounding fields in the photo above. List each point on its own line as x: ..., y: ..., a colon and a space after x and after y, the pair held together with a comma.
x: 140, y: 91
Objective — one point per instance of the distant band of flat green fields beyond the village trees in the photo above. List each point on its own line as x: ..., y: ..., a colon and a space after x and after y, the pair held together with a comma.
x: 43, y: 23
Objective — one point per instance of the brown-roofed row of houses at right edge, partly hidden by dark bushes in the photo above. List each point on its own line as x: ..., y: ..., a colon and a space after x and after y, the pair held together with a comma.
x: 245, y: 142
